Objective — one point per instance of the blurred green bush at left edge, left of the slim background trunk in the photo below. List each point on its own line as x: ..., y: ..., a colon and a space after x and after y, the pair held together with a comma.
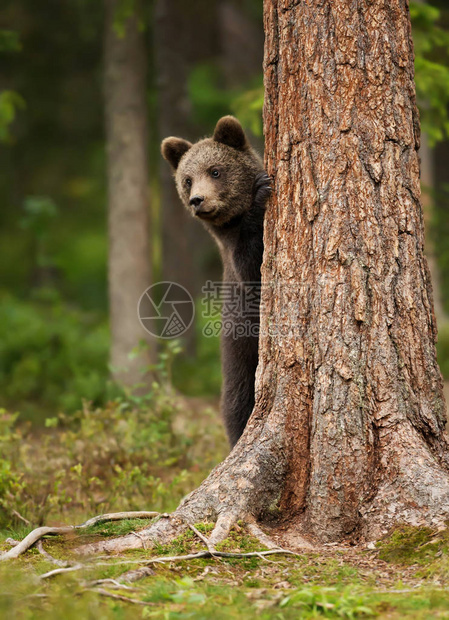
x: 51, y: 355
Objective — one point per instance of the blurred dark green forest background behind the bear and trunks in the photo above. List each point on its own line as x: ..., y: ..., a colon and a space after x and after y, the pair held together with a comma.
x: 54, y: 333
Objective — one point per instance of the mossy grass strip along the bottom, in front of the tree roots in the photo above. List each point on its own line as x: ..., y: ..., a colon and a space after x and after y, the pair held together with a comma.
x: 405, y: 576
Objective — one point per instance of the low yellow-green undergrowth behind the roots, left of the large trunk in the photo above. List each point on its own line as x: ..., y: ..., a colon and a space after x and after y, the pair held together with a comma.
x: 133, y: 452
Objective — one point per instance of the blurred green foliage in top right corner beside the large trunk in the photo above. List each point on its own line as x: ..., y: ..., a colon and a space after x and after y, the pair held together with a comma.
x: 431, y: 44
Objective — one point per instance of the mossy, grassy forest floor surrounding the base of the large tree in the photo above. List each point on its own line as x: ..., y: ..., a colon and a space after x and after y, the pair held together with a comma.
x: 105, y: 462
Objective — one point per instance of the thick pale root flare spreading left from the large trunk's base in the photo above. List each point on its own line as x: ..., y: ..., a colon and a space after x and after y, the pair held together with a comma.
x: 237, y: 489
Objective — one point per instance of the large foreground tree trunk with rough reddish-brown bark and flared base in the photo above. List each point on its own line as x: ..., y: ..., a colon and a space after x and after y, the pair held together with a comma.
x: 347, y: 435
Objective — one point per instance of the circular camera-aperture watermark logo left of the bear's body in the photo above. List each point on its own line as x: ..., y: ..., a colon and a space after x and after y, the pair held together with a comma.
x: 166, y: 310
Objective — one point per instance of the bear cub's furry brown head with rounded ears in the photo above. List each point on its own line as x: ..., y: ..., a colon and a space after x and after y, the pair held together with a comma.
x: 215, y: 177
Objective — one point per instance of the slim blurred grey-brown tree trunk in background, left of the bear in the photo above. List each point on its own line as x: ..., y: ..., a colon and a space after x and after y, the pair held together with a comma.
x: 129, y: 267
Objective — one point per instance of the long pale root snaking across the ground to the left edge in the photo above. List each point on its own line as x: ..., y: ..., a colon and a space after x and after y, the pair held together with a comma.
x: 40, y: 532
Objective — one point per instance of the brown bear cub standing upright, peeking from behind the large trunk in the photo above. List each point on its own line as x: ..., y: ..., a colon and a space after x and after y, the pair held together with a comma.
x: 222, y: 182
